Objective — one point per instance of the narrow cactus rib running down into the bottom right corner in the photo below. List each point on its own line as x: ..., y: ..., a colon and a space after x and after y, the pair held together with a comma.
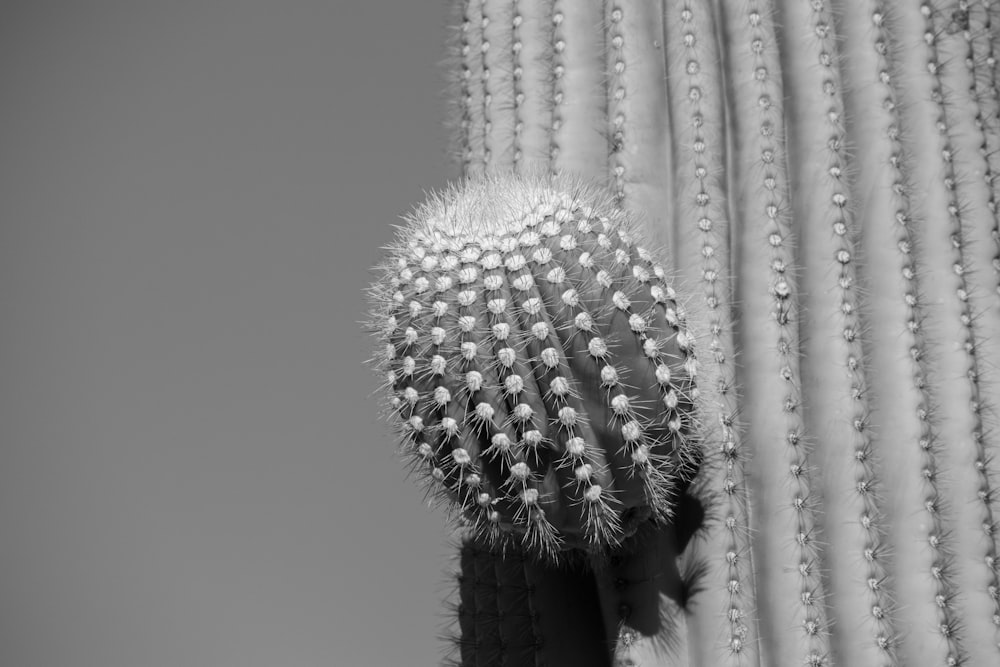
x: 952, y: 394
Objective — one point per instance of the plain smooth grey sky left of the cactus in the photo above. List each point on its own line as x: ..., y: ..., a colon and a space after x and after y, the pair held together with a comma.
x: 191, y: 195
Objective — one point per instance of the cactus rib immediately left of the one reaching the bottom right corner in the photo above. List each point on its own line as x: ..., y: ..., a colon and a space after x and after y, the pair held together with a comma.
x: 896, y: 346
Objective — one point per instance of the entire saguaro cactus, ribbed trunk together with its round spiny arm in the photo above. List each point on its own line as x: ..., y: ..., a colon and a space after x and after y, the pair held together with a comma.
x: 823, y: 176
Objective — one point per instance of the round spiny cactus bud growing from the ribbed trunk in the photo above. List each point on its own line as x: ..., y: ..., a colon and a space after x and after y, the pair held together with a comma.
x: 540, y: 370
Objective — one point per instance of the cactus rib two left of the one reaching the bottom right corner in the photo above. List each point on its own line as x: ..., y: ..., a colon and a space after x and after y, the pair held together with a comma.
x: 835, y: 390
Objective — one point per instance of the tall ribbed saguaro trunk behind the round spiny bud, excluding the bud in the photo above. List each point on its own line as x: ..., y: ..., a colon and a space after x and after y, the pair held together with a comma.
x: 823, y: 177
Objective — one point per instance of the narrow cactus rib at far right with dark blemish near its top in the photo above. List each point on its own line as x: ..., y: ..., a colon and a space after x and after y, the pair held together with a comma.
x: 950, y: 83
